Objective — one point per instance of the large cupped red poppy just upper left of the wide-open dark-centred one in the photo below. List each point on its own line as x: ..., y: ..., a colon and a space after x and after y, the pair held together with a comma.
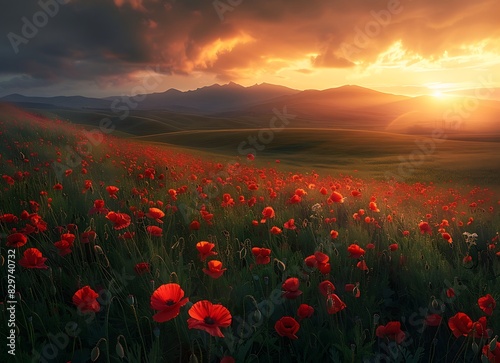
x: 167, y: 300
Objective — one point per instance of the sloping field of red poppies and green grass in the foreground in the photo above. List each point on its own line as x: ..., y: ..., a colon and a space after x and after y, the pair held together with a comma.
x: 127, y: 251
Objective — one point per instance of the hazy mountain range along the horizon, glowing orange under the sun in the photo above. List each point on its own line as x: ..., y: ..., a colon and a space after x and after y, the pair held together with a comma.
x: 342, y: 107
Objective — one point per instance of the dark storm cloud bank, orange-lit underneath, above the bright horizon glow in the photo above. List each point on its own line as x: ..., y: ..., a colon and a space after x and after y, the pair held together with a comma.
x: 99, y: 39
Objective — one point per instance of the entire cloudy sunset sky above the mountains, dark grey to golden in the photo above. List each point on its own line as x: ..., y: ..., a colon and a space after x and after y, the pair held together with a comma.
x: 104, y: 48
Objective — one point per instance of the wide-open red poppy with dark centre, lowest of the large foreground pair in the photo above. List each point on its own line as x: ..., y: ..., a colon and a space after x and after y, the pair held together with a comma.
x: 209, y: 317
